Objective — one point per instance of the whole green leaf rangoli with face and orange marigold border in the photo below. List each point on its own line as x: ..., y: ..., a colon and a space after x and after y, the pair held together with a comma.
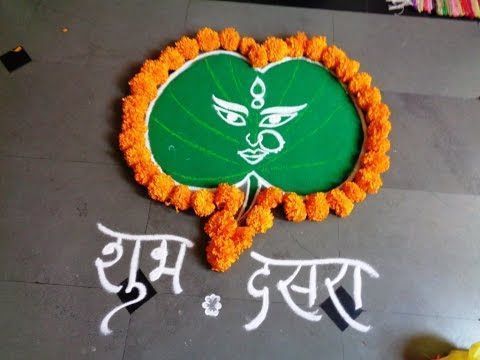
x: 232, y: 129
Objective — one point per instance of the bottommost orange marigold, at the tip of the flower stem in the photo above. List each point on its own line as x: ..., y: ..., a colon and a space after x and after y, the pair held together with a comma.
x: 221, y: 253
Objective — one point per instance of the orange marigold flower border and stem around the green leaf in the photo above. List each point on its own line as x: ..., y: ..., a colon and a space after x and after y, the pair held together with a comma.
x: 229, y: 236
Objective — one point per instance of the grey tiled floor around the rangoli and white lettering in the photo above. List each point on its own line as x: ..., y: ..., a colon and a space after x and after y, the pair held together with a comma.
x: 60, y: 174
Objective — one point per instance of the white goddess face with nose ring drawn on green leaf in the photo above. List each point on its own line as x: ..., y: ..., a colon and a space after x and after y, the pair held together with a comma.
x: 266, y: 140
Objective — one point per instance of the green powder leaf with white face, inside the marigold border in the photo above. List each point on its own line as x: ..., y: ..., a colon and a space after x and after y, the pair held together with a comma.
x: 290, y: 124
